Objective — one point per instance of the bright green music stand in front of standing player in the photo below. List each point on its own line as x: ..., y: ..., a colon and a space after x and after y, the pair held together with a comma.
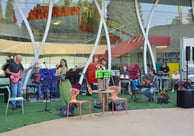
x: 101, y: 74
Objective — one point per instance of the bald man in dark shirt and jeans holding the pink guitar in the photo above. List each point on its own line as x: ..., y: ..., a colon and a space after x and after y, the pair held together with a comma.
x: 16, y: 88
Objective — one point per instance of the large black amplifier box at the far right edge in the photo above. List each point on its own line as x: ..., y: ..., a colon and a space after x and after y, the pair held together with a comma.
x: 185, y: 98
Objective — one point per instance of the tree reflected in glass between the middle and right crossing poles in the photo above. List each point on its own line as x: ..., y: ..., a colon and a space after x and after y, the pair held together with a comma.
x: 123, y: 13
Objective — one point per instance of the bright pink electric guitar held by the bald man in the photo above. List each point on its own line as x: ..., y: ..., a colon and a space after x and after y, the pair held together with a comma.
x: 16, y: 79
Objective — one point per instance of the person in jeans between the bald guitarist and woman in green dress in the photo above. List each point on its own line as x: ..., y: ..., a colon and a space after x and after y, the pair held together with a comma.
x: 36, y: 78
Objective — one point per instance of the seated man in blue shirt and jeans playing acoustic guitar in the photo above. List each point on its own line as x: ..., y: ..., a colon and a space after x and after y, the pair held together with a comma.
x: 149, y: 84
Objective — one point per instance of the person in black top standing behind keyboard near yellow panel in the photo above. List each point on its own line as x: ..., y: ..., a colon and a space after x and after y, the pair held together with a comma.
x: 165, y: 70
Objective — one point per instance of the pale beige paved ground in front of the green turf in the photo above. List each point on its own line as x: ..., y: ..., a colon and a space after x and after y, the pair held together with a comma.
x: 150, y: 122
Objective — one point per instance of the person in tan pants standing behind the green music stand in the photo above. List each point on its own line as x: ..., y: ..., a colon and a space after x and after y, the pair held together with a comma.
x: 102, y: 83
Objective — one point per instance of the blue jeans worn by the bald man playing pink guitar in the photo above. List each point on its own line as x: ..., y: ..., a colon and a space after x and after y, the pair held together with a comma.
x: 16, y: 90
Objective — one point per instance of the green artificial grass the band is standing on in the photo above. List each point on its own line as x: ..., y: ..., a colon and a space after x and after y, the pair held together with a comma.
x: 15, y: 119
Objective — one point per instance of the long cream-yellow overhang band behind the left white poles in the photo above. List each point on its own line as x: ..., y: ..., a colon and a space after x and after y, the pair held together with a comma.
x: 49, y: 49
